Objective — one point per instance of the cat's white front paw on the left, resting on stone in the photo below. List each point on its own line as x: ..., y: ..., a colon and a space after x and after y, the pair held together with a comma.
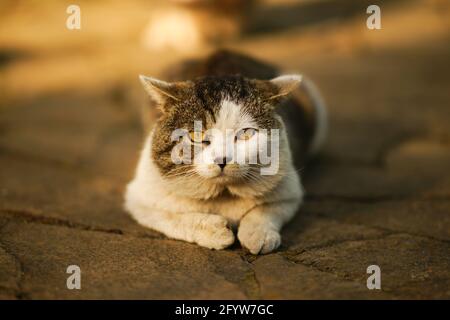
x: 212, y: 233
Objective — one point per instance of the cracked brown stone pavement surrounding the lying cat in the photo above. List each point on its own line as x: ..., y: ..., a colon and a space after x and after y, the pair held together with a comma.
x: 379, y: 193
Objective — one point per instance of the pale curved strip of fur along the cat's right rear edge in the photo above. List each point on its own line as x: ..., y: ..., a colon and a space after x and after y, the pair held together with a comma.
x: 317, y: 105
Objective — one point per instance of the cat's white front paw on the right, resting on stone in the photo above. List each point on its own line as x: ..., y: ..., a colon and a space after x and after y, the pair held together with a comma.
x: 258, y: 239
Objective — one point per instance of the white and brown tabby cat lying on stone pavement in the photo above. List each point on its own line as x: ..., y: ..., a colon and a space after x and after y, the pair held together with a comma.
x: 202, y: 202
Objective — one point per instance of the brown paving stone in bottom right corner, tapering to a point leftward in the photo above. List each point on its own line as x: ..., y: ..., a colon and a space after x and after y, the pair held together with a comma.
x: 411, y: 267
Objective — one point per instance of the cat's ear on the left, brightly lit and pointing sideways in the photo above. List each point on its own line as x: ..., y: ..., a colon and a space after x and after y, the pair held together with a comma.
x: 162, y: 91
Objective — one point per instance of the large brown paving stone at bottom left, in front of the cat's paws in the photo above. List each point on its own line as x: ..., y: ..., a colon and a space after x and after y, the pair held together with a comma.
x: 118, y: 266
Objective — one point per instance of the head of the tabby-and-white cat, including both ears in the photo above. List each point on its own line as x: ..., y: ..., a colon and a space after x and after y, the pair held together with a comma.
x: 220, y: 133
